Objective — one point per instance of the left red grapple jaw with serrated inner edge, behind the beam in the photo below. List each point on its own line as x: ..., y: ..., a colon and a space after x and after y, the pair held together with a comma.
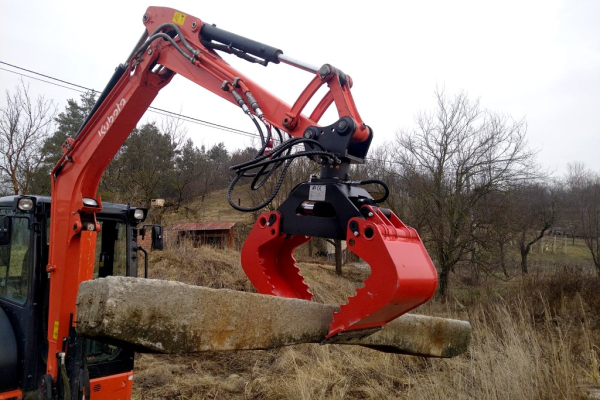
x: 268, y: 261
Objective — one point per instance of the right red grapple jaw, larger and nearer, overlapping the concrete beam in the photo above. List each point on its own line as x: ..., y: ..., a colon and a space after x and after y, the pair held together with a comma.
x: 402, y: 274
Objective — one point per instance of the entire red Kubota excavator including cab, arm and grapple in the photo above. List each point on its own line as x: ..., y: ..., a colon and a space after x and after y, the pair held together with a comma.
x: 330, y: 205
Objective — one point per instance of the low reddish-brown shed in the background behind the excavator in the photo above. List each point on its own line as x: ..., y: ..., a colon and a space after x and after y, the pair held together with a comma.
x: 220, y: 234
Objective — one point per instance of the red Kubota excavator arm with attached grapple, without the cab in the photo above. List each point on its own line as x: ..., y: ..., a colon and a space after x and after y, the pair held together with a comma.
x: 331, y: 206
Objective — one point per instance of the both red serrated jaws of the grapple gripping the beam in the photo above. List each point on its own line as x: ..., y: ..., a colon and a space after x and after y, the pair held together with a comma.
x: 402, y: 274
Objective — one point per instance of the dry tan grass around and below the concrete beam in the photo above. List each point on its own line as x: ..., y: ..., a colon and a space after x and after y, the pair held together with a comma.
x: 533, y: 338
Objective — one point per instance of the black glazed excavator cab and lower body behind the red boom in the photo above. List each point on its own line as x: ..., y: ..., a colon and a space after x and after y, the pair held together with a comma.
x: 24, y: 297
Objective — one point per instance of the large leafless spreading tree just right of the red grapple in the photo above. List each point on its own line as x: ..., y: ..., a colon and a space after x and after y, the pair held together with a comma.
x: 450, y: 161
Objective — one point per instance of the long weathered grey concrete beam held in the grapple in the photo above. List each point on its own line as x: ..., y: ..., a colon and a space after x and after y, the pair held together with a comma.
x: 172, y: 317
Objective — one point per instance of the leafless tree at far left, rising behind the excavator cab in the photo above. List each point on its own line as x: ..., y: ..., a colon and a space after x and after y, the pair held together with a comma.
x: 25, y: 123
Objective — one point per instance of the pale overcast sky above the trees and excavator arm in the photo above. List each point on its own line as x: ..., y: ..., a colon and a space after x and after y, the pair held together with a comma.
x: 534, y: 59
